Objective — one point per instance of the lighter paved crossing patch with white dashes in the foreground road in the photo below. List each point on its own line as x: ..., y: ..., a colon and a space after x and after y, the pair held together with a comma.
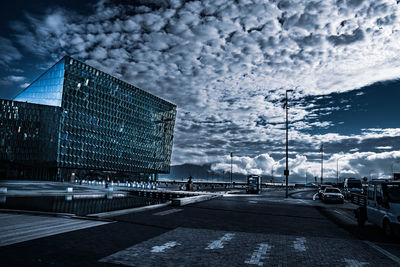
x: 203, y: 247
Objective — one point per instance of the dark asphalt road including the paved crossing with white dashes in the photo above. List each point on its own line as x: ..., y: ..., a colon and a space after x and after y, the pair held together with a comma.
x: 236, y: 230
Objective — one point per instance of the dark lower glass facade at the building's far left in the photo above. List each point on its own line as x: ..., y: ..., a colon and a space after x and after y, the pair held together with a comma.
x: 28, y: 139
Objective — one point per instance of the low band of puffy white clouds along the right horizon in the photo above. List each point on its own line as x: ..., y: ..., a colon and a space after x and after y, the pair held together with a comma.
x: 369, y: 164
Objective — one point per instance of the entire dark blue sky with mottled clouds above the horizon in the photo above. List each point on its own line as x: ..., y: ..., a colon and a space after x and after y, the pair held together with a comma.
x: 227, y: 64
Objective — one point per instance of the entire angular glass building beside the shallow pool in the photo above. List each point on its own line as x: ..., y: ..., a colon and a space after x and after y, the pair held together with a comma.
x: 77, y: 121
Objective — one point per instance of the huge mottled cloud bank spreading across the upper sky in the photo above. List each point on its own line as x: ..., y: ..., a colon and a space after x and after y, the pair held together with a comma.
x: 226, y: 65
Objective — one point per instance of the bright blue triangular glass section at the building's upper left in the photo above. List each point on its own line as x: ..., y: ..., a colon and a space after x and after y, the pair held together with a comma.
x: 47, y: 89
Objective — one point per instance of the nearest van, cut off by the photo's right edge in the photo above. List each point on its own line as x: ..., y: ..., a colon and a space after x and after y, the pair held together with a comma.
x: 382, y: 206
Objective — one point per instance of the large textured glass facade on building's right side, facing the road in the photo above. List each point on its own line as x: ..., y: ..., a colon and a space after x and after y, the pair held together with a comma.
x: 108, y: 124
